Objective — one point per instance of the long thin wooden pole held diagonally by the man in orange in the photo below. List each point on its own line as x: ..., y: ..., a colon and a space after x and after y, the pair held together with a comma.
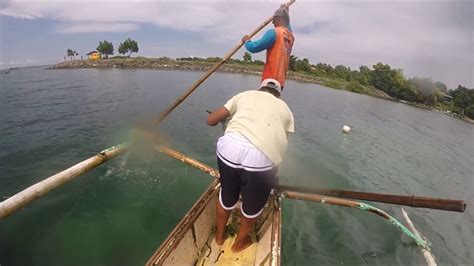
x: 206, y: 75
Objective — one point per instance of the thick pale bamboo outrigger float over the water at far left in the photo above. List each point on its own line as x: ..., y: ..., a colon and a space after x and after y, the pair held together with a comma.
x: 37, y: 190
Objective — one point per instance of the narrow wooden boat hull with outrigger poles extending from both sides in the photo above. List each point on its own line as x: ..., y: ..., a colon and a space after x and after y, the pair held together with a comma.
x: 192, y: 240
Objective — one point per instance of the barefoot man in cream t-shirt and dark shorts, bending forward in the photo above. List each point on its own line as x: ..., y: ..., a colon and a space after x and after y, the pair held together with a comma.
x: 249, y: 153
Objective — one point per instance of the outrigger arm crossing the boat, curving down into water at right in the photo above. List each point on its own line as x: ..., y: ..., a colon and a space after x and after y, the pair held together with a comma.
x: 304, y: 196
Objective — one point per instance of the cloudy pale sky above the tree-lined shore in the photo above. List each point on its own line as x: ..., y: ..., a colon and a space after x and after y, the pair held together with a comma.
x: 432, y: 39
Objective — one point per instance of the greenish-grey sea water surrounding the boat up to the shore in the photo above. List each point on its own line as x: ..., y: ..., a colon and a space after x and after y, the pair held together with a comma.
x: 120, y: 212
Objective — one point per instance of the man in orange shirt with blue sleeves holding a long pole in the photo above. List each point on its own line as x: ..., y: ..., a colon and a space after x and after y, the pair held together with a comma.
x: 278, y: 42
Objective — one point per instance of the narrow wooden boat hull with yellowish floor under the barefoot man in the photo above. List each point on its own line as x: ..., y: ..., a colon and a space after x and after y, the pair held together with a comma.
x: 192, y: 241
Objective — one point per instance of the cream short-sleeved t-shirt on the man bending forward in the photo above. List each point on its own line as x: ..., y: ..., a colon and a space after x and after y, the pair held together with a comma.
x: 263, y: 119
